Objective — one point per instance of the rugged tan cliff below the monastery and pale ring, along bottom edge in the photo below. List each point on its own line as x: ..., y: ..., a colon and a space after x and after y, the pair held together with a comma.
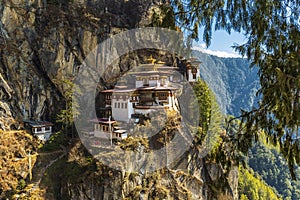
x: 190, y: 177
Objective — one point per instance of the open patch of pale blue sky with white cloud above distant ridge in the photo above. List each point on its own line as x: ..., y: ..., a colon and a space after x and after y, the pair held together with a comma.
x: 220, y: 44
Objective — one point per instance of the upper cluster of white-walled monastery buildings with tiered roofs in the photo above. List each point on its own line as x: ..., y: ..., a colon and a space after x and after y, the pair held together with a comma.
x: 153, y: 88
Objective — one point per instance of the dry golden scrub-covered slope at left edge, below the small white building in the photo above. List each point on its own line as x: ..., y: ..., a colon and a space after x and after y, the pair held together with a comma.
x: 18, y: 151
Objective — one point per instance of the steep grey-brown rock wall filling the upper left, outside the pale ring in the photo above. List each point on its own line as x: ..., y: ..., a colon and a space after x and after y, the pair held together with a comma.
x: 44, y: 42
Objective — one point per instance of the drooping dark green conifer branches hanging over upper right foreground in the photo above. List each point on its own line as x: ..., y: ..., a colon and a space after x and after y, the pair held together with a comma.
x: 273, y: 38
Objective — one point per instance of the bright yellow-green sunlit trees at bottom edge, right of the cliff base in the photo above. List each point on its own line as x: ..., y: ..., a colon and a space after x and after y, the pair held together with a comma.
x: 251, y: 187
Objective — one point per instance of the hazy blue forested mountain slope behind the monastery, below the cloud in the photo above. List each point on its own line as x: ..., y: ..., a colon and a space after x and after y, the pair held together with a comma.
x: 231, y: 79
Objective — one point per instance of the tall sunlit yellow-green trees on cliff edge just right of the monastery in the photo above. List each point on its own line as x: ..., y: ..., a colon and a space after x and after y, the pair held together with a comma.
x: 211, y: 134
